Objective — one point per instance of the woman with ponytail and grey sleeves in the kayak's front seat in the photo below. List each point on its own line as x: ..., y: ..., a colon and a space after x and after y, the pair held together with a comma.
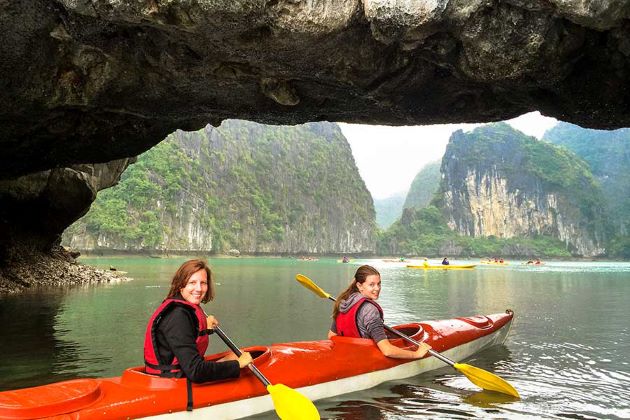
x: 356, y: 314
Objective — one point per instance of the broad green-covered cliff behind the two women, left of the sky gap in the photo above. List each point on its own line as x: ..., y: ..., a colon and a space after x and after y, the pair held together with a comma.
x: 255, y: 188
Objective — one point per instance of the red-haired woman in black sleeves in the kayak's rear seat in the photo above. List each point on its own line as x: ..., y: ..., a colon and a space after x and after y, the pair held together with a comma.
x: 176, y: 338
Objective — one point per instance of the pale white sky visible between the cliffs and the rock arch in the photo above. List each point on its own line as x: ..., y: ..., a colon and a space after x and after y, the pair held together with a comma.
x: 389, y: 158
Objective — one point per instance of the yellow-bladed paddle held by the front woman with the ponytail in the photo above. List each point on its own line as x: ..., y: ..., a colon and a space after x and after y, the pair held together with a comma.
x: 481, y: 378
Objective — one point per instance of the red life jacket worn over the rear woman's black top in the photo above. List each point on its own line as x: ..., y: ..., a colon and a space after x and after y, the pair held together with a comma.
x: 151, y: 360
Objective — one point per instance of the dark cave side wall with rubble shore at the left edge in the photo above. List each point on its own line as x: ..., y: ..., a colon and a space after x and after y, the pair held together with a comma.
x: 34, y: 211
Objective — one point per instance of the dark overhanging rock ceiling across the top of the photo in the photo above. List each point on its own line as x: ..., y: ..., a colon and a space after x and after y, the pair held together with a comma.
x: 93, y: 81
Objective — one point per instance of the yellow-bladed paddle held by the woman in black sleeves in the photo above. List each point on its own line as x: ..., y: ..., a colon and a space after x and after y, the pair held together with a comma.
x: 289, y: 403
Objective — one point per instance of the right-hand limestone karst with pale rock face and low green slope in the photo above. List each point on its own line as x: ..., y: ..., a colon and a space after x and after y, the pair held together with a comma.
x: 496, y: 179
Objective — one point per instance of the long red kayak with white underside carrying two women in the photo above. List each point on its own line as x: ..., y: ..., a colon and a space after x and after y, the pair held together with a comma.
x: 317, y: 369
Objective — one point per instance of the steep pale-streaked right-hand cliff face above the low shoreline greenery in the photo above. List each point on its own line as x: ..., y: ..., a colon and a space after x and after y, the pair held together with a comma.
x: 499, y: 182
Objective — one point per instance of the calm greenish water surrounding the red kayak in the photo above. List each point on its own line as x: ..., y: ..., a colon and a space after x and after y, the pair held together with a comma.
x: 568, y: 353
